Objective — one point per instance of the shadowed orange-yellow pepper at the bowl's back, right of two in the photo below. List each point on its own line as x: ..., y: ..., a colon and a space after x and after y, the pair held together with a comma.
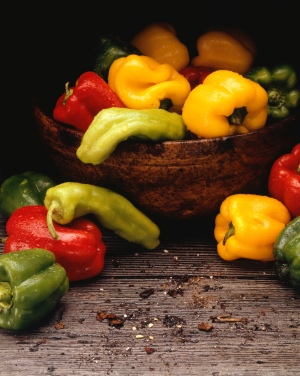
x: 230, y: 50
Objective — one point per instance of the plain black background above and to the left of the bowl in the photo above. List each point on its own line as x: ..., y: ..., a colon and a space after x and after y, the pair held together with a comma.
x: 49, y: 44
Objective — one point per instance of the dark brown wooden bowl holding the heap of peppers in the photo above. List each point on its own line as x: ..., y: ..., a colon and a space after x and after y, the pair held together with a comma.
x: 174, y: 180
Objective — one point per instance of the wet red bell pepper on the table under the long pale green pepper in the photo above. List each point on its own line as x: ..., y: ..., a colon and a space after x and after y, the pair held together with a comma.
x: 79, y: 248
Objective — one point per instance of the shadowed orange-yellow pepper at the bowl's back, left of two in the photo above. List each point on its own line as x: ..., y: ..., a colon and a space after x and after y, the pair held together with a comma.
x: 159, y: 41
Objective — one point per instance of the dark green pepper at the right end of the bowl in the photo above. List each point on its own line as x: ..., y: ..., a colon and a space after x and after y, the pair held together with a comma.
x: 280, y: 83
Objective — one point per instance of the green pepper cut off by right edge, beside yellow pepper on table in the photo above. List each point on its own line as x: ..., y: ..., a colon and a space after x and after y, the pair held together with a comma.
x: 286, y: 252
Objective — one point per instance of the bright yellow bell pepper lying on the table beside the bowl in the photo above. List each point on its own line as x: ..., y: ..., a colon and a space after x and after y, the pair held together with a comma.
x: 248, y: 225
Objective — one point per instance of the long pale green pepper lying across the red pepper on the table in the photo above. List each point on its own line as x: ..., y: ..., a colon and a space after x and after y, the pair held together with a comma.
x: 70, y: 200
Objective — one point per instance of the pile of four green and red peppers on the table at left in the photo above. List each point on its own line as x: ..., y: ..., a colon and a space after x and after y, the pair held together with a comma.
x: 50, y: 241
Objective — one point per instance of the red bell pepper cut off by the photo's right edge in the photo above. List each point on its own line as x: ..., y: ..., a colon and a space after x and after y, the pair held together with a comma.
x: 284, y: 180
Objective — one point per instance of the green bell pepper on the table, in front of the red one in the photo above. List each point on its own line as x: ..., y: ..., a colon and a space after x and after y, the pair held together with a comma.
x: 31, y: 284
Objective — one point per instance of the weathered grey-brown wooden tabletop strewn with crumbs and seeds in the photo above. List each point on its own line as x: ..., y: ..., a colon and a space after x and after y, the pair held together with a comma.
x: 184, y: 311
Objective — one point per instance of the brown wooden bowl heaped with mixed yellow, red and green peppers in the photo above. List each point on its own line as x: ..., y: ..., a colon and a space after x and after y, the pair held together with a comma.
x: 175, y: 140
